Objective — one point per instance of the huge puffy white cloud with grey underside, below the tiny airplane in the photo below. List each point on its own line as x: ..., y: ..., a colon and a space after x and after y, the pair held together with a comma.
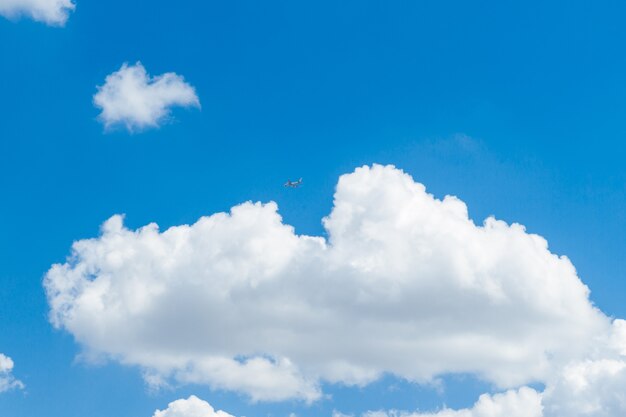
x: 405, y: 283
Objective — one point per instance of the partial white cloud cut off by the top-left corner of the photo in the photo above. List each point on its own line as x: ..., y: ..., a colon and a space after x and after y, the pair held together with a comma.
x: 52, y: 12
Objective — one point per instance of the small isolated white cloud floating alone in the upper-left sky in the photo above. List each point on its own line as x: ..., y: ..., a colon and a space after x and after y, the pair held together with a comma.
x: 132, y: 98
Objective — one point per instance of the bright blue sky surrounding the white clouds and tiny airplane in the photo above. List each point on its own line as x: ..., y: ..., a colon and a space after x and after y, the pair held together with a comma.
x: 518, y: 110
